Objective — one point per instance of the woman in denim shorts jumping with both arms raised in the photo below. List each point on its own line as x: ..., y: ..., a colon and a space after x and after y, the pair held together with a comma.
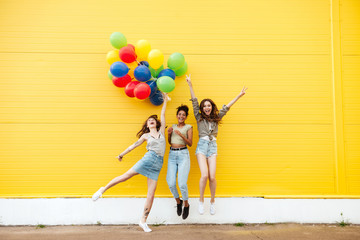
x: 208, y: 118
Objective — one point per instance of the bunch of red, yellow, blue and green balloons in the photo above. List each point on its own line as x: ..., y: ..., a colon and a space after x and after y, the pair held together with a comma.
x: 140, y: 70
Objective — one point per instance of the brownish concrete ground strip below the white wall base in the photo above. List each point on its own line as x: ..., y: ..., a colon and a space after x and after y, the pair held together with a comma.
x: 185, y: 232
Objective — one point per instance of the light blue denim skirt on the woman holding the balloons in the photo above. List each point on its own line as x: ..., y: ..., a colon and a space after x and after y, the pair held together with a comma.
x: 149, y: 166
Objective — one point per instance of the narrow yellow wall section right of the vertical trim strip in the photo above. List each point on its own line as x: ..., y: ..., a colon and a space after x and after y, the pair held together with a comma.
x: 350, y: 56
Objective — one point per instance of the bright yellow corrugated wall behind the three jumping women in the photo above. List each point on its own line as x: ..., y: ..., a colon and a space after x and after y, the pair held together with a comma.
x: 296, y: 132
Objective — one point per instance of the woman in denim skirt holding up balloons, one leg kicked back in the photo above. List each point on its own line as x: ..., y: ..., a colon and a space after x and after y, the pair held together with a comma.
x: 153, y: 132
